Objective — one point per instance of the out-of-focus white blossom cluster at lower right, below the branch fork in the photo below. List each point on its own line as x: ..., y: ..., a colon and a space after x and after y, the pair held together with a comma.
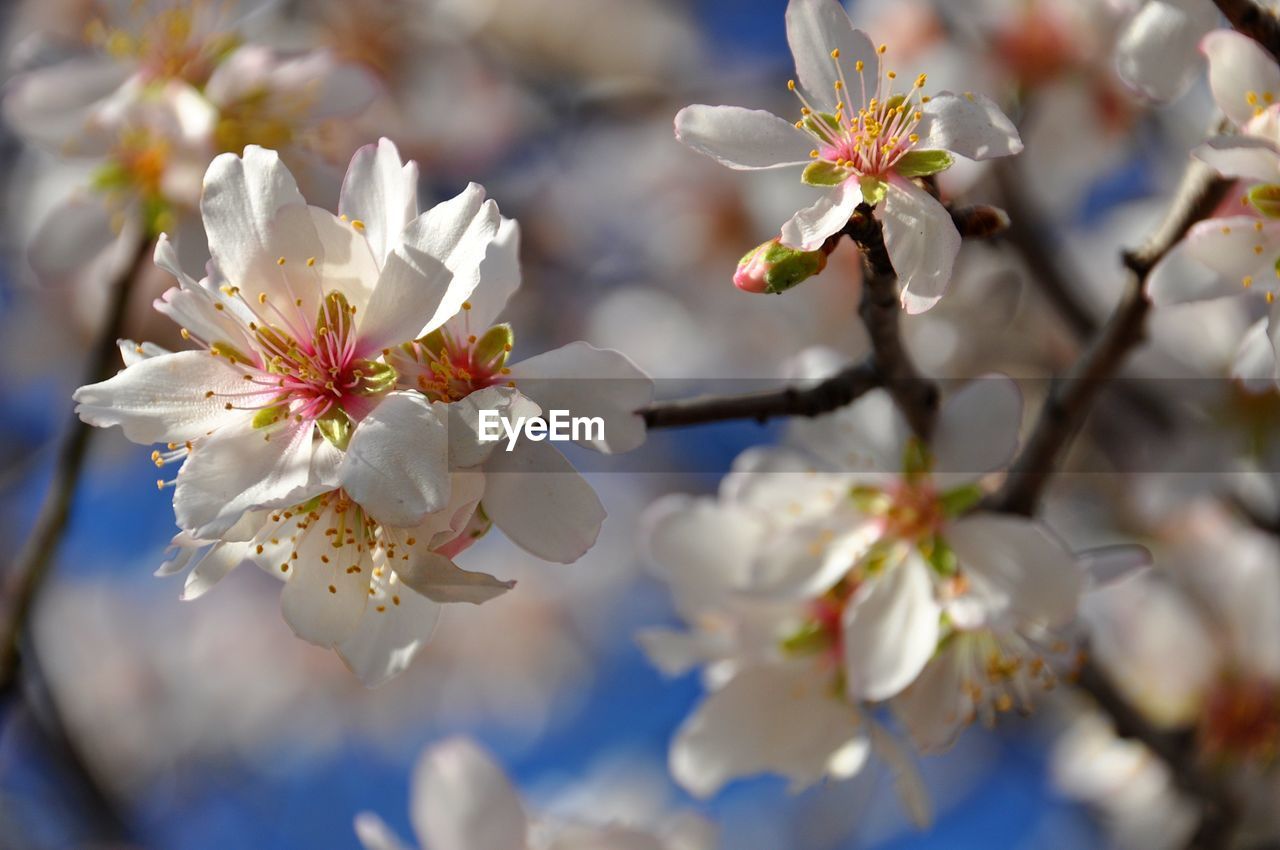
x: 858, y: 574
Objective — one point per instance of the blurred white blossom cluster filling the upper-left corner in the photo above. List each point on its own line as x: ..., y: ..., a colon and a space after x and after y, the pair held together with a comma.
x: 153, y: 95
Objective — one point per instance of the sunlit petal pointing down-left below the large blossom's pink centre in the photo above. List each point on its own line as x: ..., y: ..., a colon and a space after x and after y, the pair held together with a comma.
x: 237, y: 469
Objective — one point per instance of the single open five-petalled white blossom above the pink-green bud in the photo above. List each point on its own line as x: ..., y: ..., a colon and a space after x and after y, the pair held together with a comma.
x: 863, y: 138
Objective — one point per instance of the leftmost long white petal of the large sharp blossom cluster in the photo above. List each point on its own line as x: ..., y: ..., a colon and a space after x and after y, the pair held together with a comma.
x: 164, y: 399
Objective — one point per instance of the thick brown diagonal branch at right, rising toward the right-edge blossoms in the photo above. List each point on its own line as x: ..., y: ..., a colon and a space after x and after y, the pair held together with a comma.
x: 1072, y: 399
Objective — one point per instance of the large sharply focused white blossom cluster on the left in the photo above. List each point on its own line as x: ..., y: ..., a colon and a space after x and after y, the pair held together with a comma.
x: 314, y: 421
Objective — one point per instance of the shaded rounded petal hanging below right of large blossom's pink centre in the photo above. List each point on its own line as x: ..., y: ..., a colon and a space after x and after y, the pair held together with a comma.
x: 396, y: 465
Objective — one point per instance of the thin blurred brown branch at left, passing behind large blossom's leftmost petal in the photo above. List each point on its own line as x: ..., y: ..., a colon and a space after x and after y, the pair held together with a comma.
x: 30, y: 569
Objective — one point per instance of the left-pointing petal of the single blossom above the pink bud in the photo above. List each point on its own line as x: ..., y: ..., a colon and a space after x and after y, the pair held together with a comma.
x: 743, y: 139
